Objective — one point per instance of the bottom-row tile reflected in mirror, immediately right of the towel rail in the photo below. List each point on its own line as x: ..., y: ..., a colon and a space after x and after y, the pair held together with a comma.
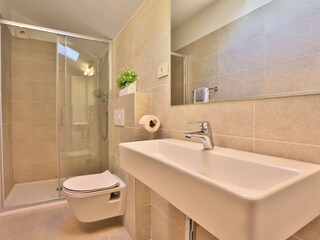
x: 248, y: 83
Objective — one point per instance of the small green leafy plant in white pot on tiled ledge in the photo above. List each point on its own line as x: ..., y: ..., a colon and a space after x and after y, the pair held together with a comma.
x: 126, y: 81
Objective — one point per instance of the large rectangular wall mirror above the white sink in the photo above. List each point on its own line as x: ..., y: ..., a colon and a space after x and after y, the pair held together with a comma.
x: 226, y: 50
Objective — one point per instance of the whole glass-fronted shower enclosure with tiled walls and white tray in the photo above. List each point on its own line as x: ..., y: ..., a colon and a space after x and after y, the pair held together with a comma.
x: 54, y: 96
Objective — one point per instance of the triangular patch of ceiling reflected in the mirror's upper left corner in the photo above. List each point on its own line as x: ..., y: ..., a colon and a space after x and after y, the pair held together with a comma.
x: 183, y: 10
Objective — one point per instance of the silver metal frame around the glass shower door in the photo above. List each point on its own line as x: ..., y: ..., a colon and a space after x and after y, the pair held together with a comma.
x: 59, y: 34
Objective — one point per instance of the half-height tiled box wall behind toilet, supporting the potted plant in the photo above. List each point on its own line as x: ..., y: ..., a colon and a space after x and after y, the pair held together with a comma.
x: 137, y: 217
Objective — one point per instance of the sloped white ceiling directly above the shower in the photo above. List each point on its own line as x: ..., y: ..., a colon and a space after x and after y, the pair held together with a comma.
x: 99, y: 18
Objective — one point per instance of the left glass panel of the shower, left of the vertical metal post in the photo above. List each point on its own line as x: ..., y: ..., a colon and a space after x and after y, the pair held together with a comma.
x: 29, y: 116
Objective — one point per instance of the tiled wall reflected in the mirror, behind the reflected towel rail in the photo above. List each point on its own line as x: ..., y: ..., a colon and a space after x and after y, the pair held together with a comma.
x: 254, y: 57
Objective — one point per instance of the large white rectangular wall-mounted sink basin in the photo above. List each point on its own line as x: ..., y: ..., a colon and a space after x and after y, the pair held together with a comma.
x: 235, y: 195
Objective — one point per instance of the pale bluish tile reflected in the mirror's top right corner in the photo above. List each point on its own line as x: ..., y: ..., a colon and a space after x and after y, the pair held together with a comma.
x: 284, y: 12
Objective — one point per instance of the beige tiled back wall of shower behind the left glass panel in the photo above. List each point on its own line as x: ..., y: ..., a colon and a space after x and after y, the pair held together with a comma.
x: 34, y: 110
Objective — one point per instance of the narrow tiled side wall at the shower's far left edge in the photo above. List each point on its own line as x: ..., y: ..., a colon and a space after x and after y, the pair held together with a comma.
x: 6, y: 82
